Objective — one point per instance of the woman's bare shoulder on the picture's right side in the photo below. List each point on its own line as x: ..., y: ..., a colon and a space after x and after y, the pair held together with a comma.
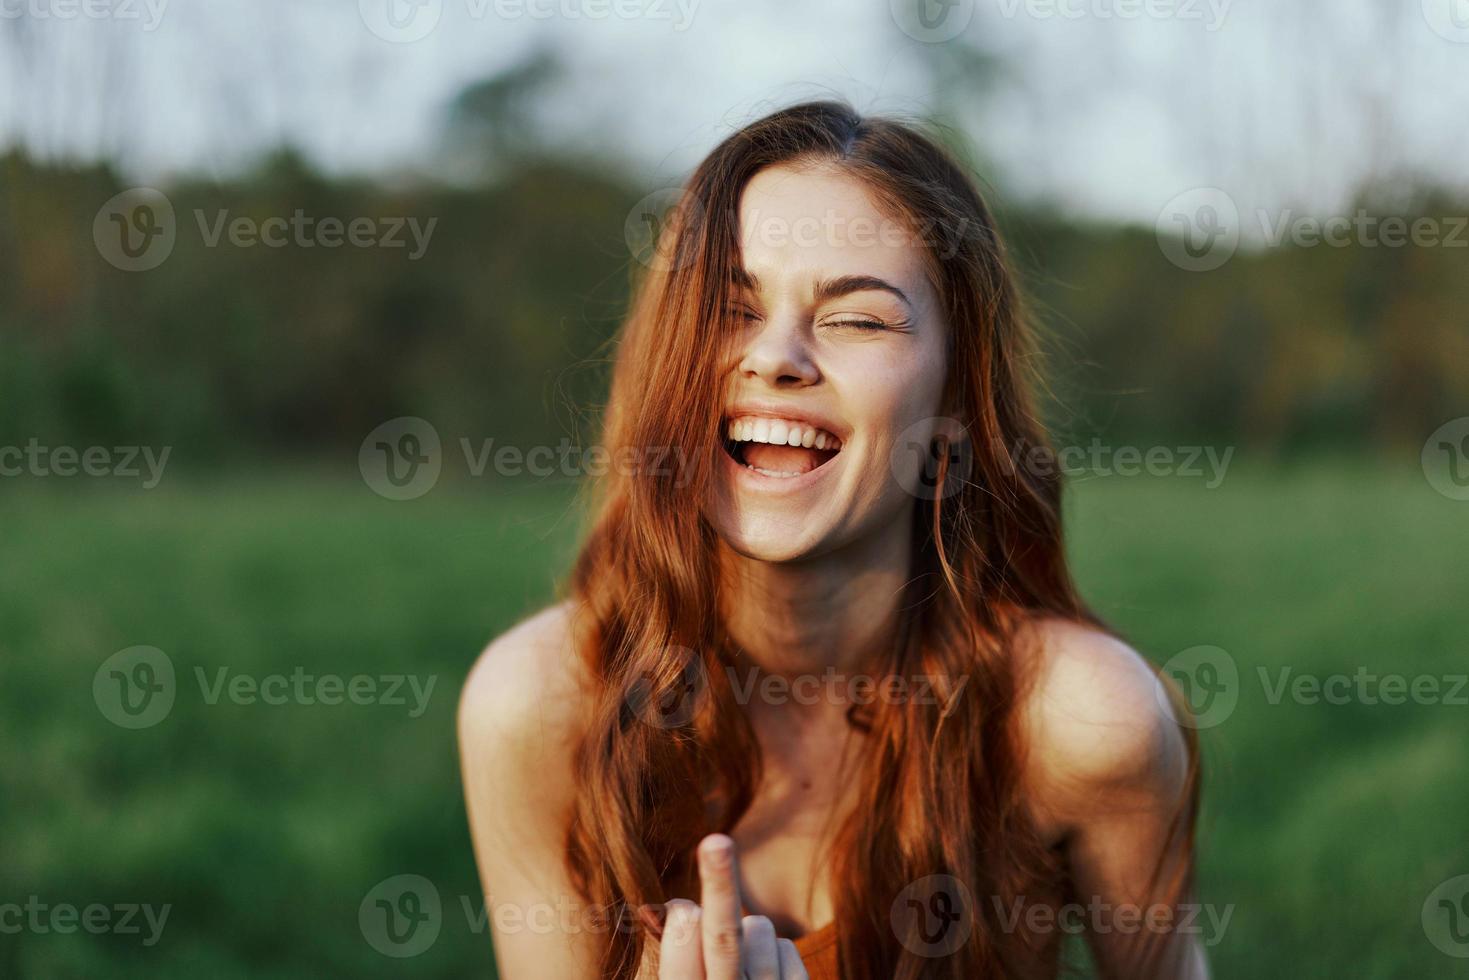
x: 1100, y: 725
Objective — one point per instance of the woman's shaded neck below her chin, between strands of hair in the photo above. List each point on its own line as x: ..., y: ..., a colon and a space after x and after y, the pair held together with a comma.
x: 826, y: 618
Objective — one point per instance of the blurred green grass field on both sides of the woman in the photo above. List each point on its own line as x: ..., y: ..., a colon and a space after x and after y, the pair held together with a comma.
x: 265, y: 826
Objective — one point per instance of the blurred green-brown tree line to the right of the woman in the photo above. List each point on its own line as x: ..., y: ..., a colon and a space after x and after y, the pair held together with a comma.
x: 1282, y: 349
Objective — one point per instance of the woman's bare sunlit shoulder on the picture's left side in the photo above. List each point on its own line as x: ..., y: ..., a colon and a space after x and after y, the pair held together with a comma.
x: 524, y: 703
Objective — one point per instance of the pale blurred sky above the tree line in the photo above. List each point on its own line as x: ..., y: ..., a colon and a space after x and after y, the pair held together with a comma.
x: 1108, y: 108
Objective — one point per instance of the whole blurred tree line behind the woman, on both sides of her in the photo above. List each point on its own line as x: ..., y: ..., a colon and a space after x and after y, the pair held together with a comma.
x: 500, y: 328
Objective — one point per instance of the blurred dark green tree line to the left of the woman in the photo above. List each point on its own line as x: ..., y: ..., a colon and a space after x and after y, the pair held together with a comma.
x: 228, y: 349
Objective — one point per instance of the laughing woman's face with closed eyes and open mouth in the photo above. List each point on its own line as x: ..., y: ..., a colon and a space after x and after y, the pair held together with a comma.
x: 840, y: 359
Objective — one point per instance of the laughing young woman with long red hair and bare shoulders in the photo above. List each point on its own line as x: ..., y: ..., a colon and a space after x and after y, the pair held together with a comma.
x: 823, y: 700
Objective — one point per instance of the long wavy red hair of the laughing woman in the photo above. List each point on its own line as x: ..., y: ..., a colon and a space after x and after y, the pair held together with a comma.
x: 942, y: 791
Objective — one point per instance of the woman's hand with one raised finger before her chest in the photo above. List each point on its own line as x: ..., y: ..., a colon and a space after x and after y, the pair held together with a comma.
x: 713, y: 941
